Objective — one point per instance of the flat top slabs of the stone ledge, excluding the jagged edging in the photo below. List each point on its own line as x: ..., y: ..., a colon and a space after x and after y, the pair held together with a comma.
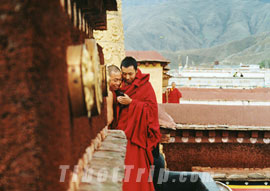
x: 107, y: 164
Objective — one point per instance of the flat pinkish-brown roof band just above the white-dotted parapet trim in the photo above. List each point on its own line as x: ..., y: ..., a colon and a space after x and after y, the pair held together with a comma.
x: 232, y: 115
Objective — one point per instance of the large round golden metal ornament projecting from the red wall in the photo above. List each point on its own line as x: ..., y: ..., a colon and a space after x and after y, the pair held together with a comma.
x: 86, y: 79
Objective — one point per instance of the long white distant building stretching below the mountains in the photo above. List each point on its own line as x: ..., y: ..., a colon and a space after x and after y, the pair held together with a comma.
x: 241, y: 77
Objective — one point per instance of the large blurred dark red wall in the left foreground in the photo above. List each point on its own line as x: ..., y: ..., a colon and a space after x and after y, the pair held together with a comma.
x: 37, y: 132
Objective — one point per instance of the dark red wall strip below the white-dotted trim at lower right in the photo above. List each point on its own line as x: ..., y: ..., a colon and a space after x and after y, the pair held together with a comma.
x: 181, y: 157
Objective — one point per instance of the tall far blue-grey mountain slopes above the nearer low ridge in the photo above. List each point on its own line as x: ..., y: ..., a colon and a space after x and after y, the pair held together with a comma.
x: 174, y: 25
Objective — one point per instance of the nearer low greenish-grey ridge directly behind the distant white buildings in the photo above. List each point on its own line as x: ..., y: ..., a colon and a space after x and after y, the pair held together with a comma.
x: 250, y: 50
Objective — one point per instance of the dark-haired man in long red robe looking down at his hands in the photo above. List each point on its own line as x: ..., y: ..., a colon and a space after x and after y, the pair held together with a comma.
x: 138, y: 118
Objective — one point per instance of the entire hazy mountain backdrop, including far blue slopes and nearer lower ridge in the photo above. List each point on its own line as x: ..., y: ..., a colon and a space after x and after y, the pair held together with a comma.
x: 207, y: 30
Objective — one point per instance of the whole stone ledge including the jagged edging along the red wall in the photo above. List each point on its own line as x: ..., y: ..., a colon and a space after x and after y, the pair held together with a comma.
x: 102, y: 165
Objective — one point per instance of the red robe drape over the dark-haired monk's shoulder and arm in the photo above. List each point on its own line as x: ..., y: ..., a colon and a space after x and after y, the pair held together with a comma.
x: 143, y: 127
